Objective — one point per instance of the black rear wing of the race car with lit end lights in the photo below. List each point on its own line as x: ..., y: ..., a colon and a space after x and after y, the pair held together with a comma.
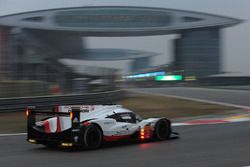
x: 74, y: 113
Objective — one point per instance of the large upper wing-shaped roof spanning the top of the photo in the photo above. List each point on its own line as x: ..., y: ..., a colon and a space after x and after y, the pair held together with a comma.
x: 116, y: 20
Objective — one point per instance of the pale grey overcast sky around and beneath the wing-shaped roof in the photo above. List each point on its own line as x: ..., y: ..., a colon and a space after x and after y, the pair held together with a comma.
x: 236, y: 41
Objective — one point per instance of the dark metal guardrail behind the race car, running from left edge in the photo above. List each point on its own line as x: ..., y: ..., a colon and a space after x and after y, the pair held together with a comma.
x: 45, y: 102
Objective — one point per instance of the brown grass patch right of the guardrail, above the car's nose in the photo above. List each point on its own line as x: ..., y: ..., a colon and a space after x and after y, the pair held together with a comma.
x: 161, y: 106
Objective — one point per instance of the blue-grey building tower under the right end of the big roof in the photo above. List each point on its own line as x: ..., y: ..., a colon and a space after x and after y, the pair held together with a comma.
x: 198, y: 51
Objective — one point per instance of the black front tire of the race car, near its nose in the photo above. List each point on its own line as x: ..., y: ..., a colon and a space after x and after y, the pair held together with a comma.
x: 162, y: 130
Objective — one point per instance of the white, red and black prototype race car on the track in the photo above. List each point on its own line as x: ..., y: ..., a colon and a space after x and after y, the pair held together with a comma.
x: 88, y: 126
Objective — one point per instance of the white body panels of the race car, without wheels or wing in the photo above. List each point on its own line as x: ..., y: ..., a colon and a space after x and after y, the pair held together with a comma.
x: 98, y: 114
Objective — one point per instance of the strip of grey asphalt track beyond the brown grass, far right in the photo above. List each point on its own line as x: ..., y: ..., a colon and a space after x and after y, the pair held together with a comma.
x: 239, y: 98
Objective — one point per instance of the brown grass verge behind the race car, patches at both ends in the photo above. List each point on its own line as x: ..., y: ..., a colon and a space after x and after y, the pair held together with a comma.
x: 145, y: 105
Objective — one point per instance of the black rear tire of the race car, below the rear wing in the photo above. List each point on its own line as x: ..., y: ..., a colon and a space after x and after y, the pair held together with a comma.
x: 92, y: 137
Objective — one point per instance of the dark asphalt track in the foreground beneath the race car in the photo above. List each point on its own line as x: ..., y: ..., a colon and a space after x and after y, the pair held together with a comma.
x: 202, y: 146
